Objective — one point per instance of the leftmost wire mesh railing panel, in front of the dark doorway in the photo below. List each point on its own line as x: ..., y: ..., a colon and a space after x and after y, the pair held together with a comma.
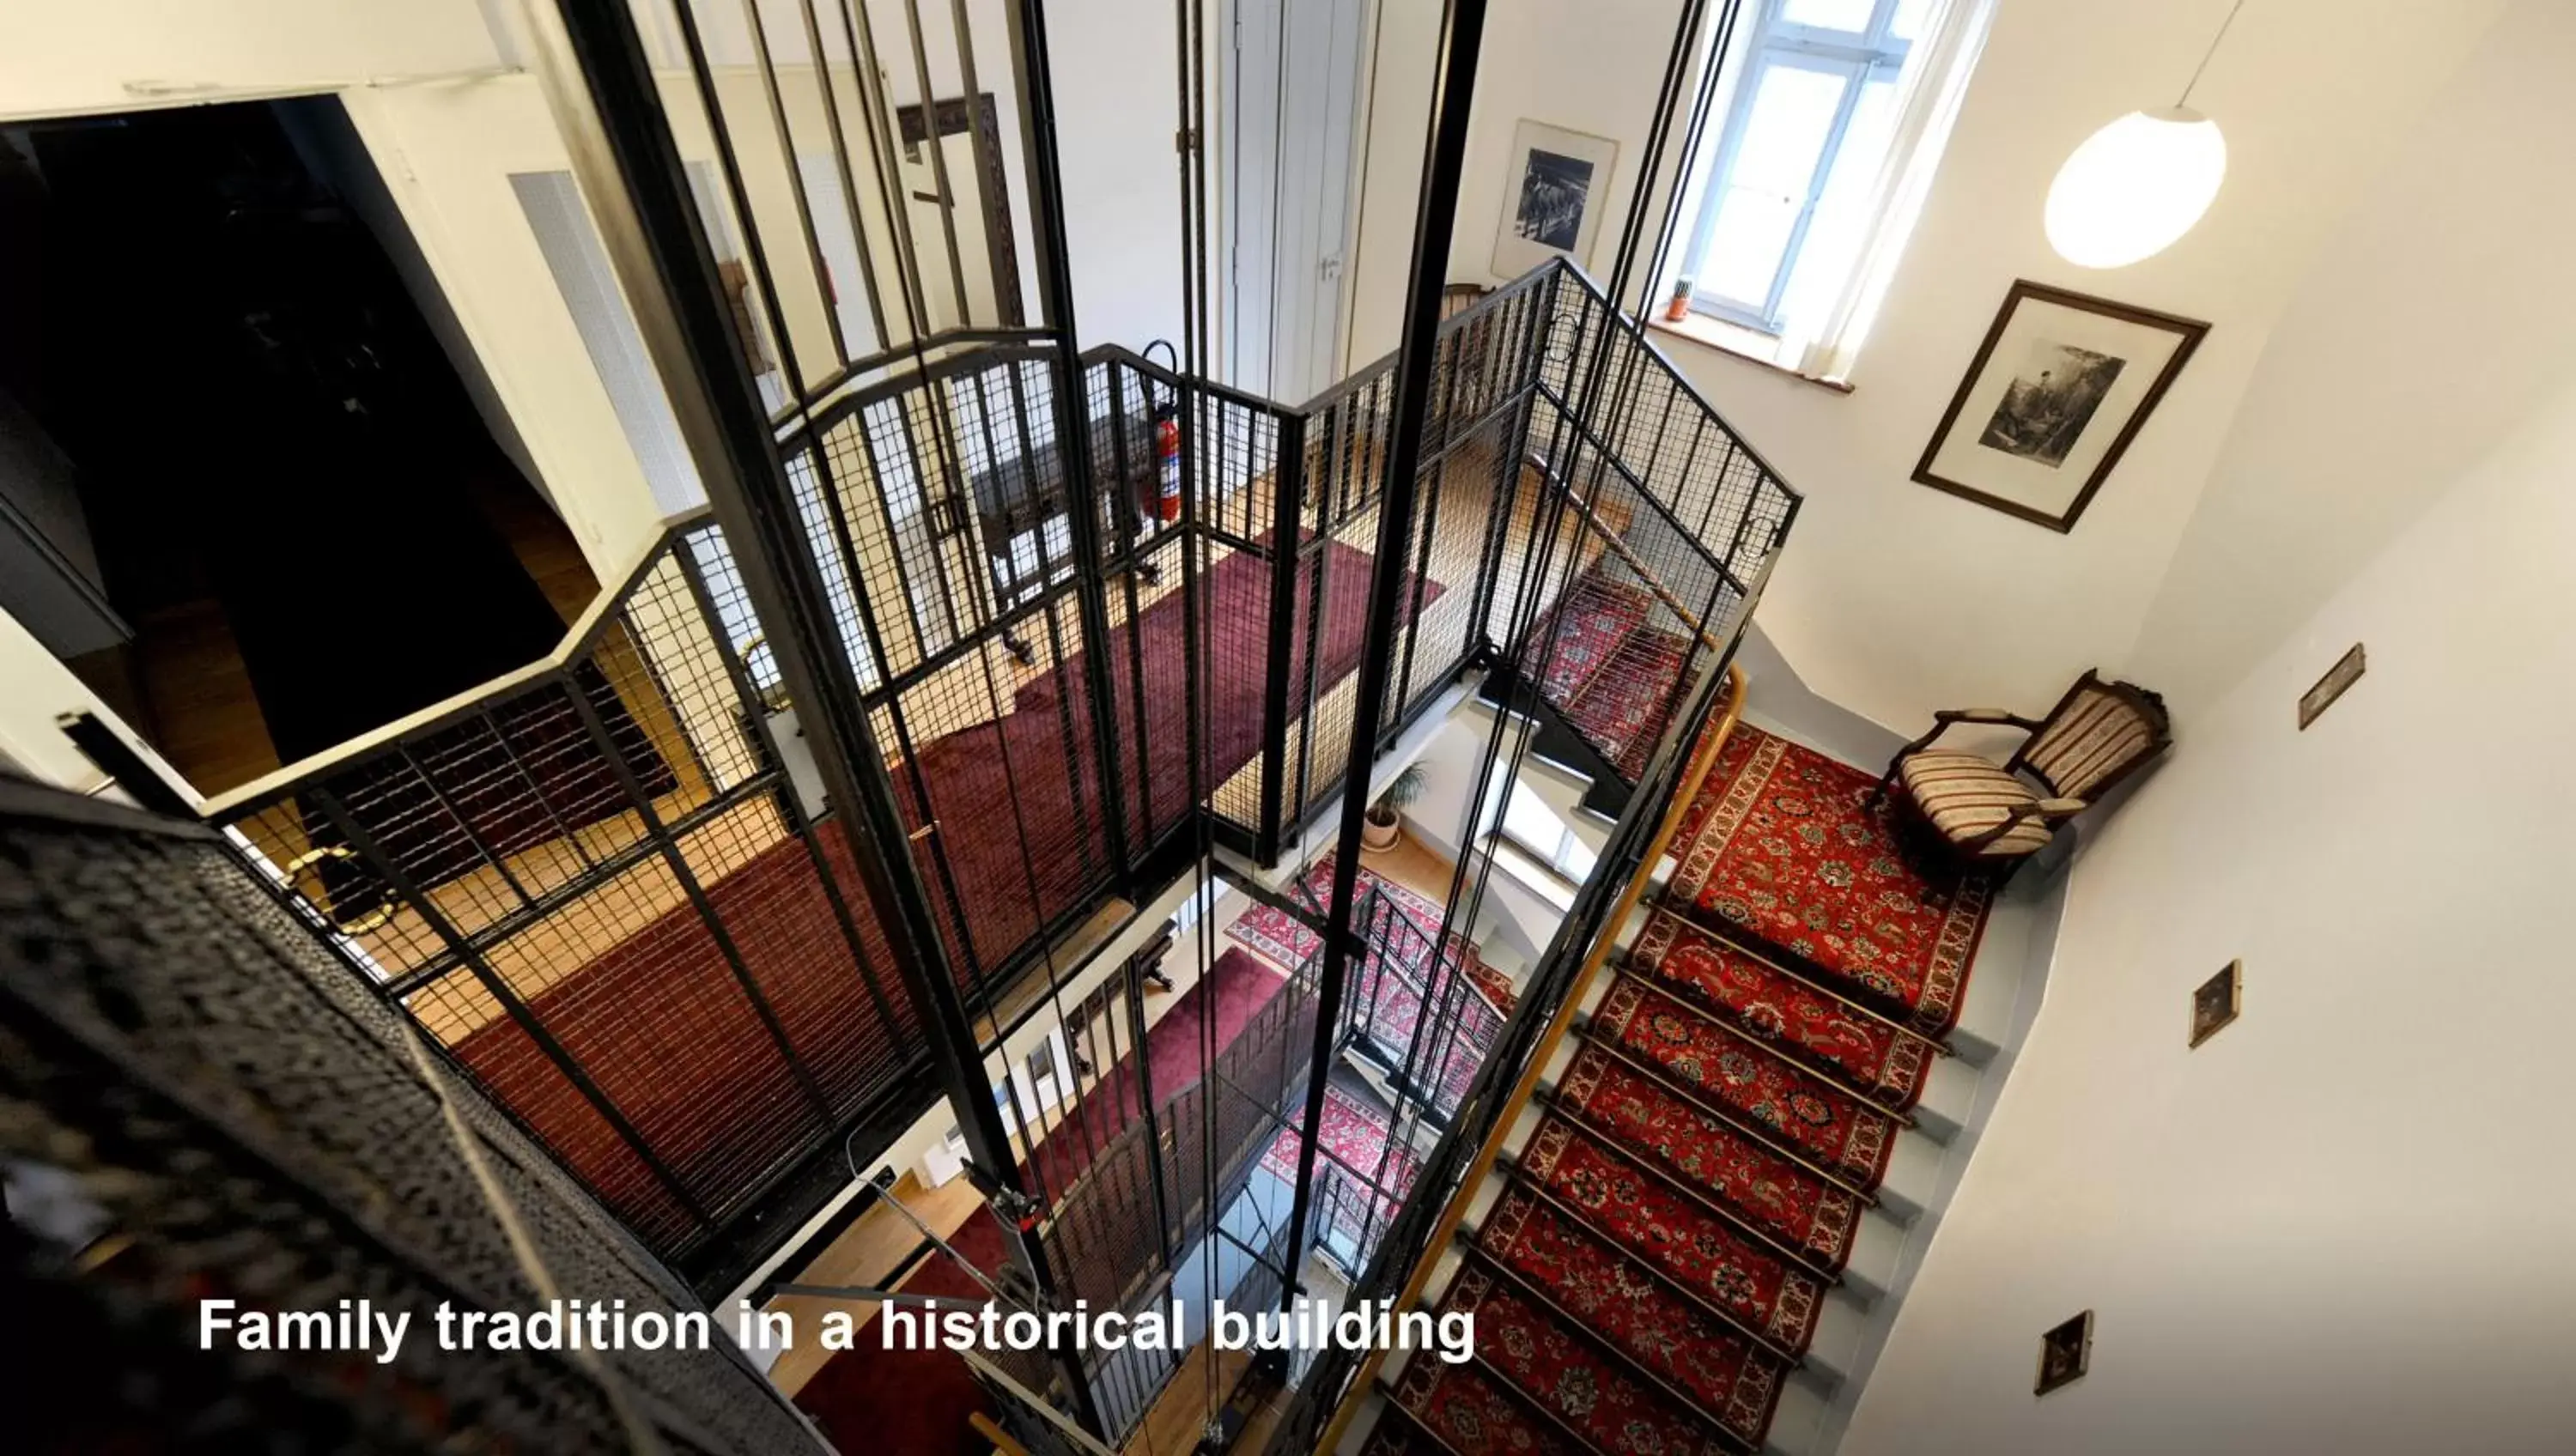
x: 601, y: 896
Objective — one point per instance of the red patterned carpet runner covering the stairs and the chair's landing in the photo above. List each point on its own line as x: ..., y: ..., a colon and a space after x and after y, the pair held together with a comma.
x: 1696, y: 1182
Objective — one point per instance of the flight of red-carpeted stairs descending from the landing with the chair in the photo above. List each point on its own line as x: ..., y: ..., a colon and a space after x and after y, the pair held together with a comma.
x: 1696, y: 1228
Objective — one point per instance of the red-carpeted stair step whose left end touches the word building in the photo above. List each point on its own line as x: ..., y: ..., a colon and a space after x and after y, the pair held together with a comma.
x: 1570, y: 1377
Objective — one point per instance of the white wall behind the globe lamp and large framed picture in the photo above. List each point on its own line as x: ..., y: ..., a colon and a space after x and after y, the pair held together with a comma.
x: 1897, y: 599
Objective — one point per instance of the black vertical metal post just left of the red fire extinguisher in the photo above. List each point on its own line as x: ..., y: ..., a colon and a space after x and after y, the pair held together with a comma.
x: 1073, y: 403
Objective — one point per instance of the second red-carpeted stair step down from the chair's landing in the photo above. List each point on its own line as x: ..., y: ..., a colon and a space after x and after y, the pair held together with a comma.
x: 1725, y: 1068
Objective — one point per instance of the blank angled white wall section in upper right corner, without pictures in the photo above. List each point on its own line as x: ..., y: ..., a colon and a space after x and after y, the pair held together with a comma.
x: 2436, y: 318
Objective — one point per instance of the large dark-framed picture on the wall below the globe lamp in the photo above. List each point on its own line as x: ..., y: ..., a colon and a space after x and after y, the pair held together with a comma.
x: 2052, y: 401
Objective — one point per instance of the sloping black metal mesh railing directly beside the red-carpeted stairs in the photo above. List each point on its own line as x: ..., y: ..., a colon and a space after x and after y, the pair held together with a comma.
x: 1634, y: 483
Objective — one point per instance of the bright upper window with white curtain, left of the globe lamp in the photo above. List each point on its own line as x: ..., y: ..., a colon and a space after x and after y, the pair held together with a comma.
x: 1835, y: 120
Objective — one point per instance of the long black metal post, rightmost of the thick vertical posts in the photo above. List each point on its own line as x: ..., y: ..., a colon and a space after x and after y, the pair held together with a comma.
x: 1436, y: 218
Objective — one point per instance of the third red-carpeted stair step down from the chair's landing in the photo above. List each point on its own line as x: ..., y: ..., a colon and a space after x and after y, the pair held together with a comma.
x: 1810, y: 1215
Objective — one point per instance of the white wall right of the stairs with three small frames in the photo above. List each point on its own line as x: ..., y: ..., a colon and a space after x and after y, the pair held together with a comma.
x: 2343, y: 1223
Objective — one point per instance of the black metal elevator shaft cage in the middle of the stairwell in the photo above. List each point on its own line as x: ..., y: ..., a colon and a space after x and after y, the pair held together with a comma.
x: 805, y: 821
